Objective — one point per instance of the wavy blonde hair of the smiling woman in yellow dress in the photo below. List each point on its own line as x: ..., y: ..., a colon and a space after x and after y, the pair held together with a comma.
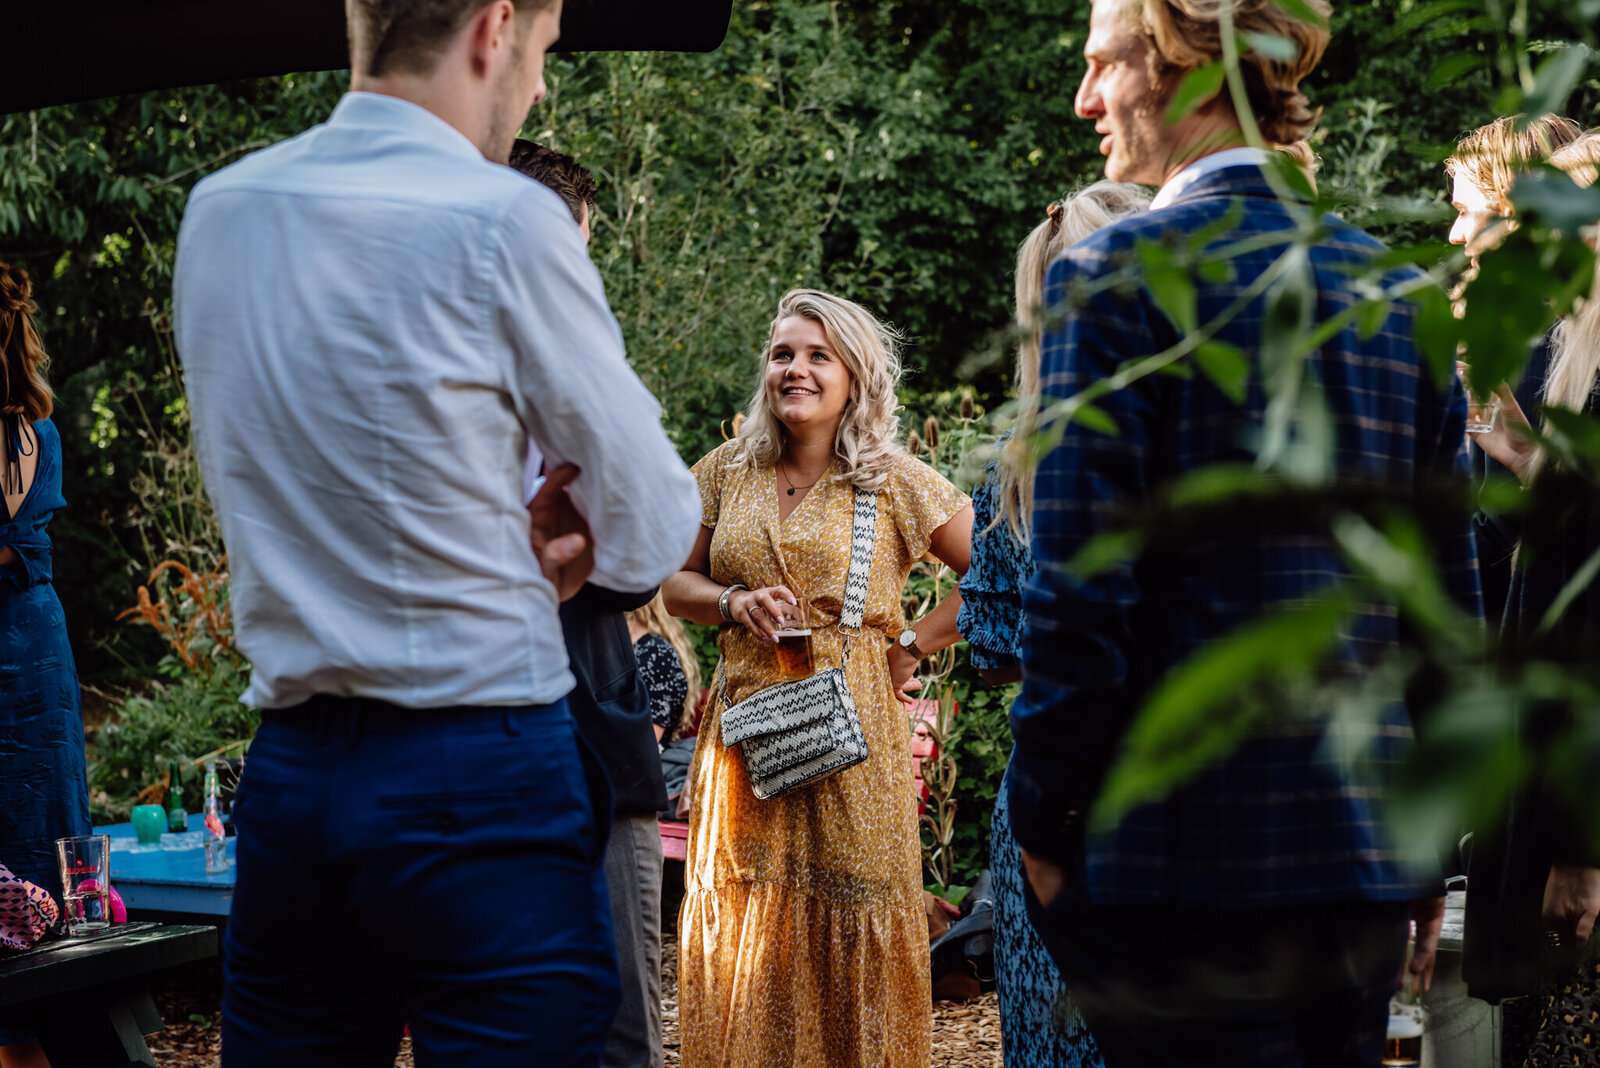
x: 865, y: 444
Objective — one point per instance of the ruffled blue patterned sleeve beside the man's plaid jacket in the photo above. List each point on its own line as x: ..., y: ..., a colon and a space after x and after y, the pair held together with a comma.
x: 991, y: 620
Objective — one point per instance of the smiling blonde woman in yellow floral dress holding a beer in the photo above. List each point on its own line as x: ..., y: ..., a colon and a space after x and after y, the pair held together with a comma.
x: 802, y: 939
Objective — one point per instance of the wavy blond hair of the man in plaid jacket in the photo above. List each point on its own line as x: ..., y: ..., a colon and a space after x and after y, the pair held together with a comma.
x: 1188, y: 34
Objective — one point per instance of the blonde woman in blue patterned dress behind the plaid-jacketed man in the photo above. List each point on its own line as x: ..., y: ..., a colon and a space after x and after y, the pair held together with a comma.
x: 1039, y: 1027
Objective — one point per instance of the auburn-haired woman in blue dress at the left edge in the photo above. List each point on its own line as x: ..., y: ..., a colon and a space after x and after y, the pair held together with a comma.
x: 44, y: 794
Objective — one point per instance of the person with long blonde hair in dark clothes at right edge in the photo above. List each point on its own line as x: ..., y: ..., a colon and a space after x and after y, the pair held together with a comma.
x: 1535, y: 880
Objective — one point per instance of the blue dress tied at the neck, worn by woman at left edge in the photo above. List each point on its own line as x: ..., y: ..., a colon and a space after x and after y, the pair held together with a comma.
x: 44, y: 792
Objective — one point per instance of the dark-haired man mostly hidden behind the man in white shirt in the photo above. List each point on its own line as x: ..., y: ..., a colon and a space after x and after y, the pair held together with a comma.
x: 612, y: 709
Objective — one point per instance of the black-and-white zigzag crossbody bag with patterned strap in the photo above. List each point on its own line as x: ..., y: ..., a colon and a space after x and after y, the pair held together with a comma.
x: 799, y: 733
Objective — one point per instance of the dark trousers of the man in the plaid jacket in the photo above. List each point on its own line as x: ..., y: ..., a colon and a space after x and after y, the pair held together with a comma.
x: 1302, y: 987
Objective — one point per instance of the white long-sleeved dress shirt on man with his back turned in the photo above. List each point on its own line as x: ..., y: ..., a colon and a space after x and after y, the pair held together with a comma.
x: 375, y: 322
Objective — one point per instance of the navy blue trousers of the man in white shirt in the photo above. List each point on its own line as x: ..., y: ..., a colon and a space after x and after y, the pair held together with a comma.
x: 431, y: 869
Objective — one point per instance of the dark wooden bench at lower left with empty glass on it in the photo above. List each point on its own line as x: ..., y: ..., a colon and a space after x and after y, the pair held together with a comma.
x: 89, y: 1000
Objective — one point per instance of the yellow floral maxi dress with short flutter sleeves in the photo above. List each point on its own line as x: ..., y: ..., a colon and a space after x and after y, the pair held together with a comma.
x: 802, y: 939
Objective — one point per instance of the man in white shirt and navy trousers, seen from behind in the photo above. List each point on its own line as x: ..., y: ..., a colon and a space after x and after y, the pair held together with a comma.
x: 377, y: 319
